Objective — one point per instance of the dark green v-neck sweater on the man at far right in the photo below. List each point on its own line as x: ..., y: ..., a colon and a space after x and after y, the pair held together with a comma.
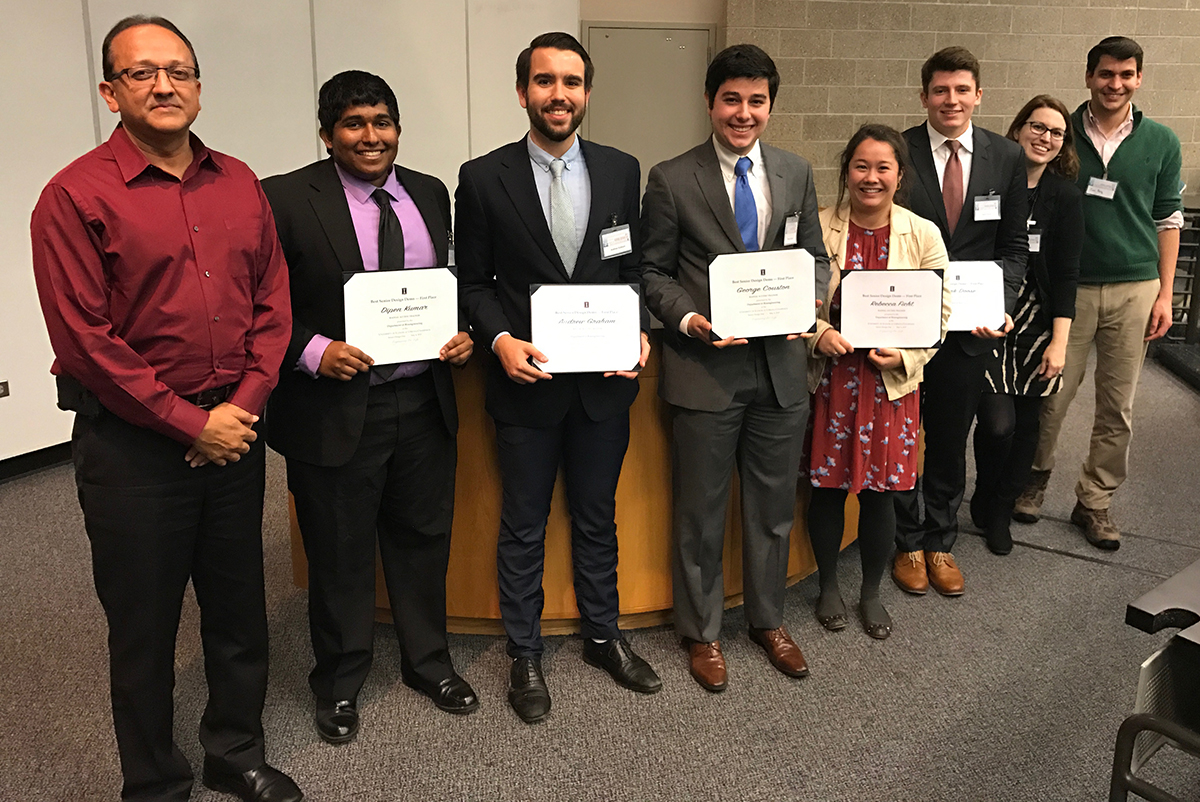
x: 1121, y: 241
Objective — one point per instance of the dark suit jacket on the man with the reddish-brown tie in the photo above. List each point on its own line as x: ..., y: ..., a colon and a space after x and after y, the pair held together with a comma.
x: 998, y: 167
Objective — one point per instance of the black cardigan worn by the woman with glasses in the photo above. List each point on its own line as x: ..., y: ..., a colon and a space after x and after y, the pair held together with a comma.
x: 1058, y: 214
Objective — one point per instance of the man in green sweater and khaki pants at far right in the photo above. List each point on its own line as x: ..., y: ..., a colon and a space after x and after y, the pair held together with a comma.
x: 1130, y: 172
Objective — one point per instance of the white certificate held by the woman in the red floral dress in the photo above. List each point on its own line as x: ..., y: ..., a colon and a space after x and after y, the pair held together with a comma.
x: 892, y: 309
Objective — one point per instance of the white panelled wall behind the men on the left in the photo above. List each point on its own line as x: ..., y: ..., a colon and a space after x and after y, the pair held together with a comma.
x: 451, y: 63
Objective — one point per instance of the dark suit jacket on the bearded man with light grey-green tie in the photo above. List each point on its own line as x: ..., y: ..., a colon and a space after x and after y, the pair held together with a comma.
x: 503, y: 246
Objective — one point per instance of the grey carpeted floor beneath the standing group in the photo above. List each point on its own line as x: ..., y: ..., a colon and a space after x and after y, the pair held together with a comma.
x: 1010, y: 693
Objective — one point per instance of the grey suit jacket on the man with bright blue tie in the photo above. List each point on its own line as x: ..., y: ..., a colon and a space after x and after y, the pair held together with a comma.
x: 687, y: 218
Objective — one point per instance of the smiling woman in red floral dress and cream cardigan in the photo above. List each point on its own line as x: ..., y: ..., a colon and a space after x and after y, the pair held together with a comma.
x: 866, y: 414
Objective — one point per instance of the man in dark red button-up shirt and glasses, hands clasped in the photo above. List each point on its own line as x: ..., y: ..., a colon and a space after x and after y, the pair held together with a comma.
x: 166, y: 298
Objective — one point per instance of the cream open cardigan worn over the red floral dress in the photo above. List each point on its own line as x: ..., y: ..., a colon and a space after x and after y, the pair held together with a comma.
x: 913, y: 243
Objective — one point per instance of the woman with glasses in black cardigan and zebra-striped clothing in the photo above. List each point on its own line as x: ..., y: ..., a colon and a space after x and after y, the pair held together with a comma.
x: 1029, y: 366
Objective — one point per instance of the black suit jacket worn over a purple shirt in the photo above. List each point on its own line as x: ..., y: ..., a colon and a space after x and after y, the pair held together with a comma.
x: 320, y: 421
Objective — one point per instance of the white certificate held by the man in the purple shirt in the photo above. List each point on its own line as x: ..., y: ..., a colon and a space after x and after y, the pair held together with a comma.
x: 401, y: 316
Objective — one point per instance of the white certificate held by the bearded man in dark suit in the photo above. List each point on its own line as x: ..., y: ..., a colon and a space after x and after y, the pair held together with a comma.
x: 586, y: 328
